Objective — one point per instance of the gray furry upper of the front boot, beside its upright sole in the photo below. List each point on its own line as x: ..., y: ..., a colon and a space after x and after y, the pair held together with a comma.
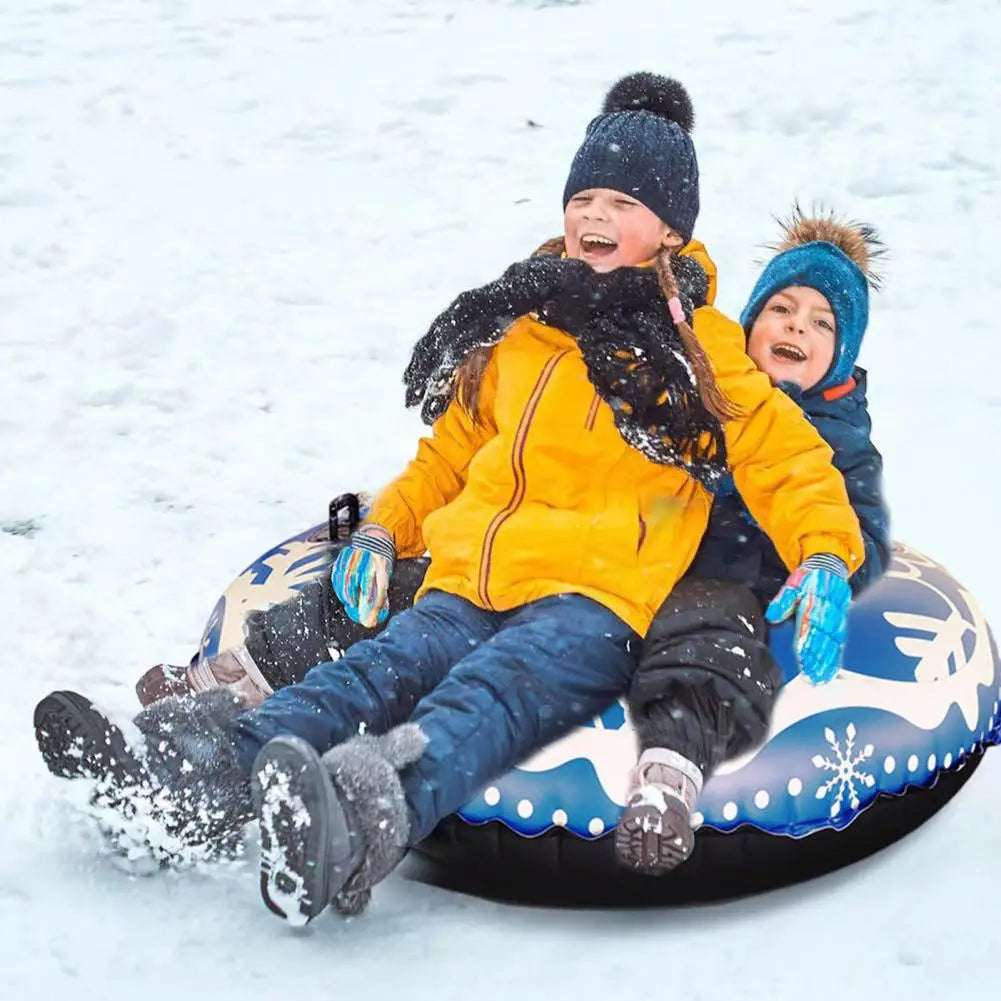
x: 367, y: 771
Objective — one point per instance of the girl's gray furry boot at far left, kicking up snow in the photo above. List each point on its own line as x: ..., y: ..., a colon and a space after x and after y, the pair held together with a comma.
x: 180, y: 798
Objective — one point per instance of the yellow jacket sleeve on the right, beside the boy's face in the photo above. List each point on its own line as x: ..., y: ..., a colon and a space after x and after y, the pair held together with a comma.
x: 781, y: 465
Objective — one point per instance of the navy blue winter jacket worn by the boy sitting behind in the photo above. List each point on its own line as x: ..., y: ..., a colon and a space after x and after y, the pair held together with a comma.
x: 735, y: 549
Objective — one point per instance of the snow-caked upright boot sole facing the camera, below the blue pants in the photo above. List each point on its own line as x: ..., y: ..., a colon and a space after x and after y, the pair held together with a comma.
x: 306, y: 856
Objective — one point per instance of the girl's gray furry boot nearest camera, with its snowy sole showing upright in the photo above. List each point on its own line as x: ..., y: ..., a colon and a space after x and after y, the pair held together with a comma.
x: 332, y: 827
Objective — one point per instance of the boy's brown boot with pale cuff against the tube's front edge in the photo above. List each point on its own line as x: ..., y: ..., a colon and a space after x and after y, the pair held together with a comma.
x: 655, y: 831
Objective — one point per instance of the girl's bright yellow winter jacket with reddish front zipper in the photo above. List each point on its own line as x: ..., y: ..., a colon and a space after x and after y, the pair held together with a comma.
x: 544, y: 497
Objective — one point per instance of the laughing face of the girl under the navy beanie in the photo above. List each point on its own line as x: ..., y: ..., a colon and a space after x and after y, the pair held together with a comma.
x: 610, y: 230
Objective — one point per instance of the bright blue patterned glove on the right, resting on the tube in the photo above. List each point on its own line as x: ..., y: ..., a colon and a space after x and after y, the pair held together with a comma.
x: 818, y: 590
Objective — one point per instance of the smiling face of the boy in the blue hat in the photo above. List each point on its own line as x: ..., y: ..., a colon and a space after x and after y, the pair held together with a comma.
x: 794, y: 338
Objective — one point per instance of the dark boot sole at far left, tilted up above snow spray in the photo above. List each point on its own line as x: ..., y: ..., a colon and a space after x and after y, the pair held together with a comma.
x: 78, y: 741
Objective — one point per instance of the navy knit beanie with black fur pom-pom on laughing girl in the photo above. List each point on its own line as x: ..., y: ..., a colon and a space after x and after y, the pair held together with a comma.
x: 641, y: 146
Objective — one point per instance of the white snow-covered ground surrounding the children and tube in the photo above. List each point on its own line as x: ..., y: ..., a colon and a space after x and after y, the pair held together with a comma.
x: 222, y: 228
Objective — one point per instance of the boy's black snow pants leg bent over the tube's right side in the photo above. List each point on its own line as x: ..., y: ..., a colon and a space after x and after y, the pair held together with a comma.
x: 707, y: 681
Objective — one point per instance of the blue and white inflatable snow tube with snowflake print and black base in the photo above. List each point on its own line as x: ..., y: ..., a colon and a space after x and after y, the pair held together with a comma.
x: 847, y: 769
